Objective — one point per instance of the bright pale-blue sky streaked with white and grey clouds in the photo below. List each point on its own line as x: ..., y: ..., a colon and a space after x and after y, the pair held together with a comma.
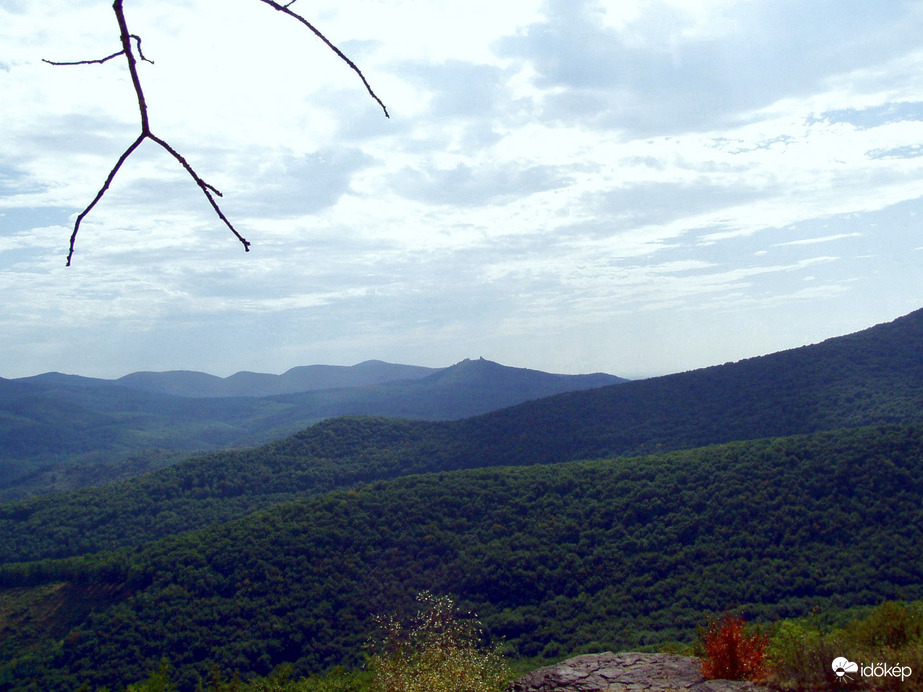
x: 637, y: 187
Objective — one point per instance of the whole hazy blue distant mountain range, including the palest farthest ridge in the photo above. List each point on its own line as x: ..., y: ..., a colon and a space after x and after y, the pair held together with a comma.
x: 71, y: 422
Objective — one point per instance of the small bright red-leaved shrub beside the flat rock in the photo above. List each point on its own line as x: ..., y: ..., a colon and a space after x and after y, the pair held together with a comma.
x: 731, y: 653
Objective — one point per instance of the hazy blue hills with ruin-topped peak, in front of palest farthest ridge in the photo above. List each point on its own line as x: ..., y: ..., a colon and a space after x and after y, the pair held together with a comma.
x: 63, y: 419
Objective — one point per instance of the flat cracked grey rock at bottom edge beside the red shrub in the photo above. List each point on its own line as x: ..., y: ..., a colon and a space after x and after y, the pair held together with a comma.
x: 626, y: 672
